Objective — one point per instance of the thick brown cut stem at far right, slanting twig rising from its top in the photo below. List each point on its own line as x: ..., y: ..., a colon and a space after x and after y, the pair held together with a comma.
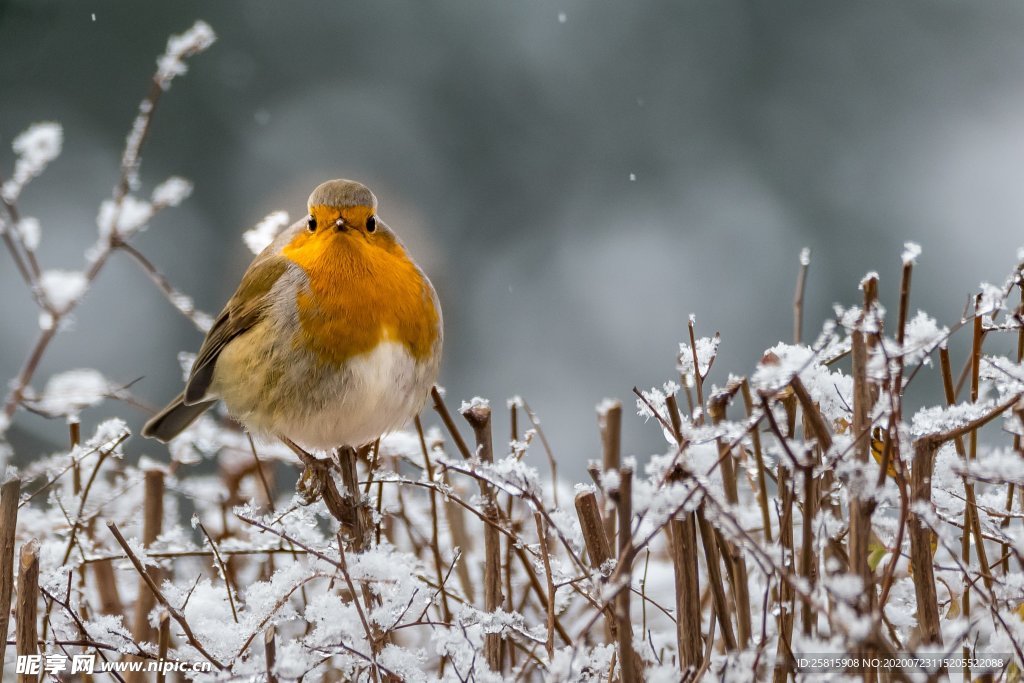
x: 921, y: 542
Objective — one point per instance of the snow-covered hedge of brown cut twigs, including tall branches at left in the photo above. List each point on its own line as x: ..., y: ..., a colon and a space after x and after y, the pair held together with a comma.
x: 798, y: 515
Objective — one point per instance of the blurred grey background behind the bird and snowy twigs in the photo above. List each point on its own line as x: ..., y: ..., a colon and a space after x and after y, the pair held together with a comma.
x: 577, y: 178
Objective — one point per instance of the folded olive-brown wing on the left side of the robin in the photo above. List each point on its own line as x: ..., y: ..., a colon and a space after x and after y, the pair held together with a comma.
x: 246, y: 309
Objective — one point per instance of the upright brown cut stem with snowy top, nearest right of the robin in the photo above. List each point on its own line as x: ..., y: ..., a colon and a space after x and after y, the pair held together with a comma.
x: 479, y: 417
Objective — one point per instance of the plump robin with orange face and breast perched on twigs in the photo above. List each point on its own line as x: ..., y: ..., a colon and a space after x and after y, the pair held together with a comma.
x: 332, y: 339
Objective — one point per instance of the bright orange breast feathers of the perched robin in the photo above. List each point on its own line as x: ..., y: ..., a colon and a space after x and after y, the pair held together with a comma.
x: 362, y: 291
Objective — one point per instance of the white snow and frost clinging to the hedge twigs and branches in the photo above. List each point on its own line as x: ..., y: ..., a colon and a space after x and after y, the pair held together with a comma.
x: 297, y: 586
